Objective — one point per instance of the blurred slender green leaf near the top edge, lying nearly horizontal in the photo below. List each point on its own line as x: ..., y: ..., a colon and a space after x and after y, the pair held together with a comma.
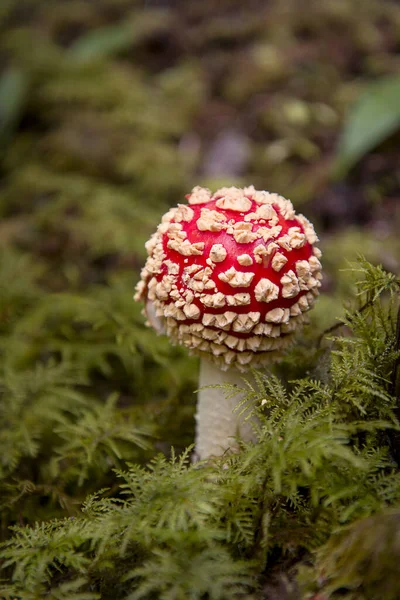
x: 101, y: 43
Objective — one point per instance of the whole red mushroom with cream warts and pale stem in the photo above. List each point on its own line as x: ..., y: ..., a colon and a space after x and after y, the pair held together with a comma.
x: 229, y: 275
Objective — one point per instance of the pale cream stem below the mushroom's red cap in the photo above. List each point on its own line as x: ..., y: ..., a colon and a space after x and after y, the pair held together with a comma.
x: 217, y: 422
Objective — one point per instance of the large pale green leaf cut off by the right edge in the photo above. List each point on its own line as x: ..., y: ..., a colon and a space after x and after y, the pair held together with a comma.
x: 374, y: 118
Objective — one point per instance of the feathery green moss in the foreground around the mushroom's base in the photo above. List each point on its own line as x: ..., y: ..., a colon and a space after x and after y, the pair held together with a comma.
x: 325, y: 458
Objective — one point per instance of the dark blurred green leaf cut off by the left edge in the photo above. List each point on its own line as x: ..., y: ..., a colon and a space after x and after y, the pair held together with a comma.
x: 13, y: 95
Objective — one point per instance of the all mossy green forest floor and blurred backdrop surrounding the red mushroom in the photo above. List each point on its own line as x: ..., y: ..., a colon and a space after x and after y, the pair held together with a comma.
x: 110, y: 112
